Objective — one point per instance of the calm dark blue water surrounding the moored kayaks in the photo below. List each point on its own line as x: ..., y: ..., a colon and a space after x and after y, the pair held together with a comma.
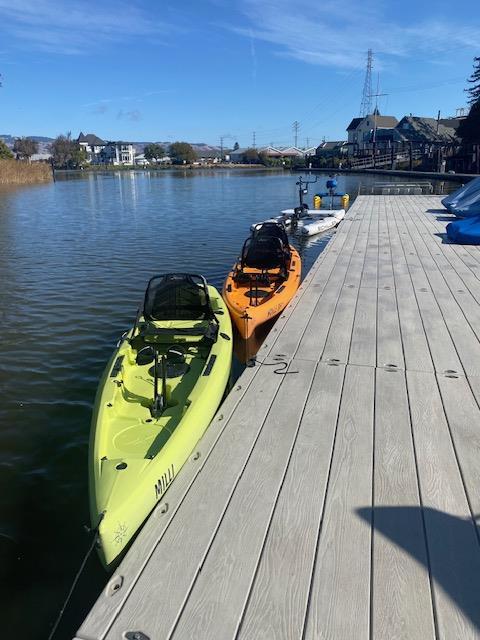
x: 74, y: 260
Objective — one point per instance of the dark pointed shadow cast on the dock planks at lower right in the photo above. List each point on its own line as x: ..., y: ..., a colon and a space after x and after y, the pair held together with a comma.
x: 453, y: 549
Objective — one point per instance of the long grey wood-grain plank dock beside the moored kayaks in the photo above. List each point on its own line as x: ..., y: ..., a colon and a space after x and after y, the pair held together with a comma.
x: 339, y: 501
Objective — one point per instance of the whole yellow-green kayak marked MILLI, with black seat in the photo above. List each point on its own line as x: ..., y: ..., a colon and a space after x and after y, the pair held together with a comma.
x: 156, y: 398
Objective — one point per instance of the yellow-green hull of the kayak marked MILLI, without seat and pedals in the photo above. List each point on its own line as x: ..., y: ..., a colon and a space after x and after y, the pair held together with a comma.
x: 134, y: 457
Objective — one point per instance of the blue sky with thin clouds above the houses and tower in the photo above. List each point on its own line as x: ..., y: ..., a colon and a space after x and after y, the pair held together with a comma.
x: 198, y: 69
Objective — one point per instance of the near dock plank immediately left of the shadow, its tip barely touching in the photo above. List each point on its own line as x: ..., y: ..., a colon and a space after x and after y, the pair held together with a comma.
x: 339, y: 605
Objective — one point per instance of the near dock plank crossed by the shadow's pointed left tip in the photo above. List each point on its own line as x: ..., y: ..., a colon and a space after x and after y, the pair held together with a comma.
x: 401, y: 606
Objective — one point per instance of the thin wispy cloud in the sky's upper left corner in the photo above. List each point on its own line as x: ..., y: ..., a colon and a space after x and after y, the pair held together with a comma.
x: 75, y: 27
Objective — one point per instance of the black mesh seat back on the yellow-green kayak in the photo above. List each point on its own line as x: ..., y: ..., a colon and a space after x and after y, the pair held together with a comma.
x: 177, y: 296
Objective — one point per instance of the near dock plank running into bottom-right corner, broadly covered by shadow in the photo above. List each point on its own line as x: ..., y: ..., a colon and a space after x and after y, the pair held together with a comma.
x: 451, y: 538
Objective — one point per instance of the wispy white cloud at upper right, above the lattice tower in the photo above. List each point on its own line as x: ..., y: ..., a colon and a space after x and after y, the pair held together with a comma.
x: 339, y: 33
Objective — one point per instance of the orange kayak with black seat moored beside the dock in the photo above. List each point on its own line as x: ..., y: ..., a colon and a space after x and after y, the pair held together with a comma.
x: 263, y: 280
